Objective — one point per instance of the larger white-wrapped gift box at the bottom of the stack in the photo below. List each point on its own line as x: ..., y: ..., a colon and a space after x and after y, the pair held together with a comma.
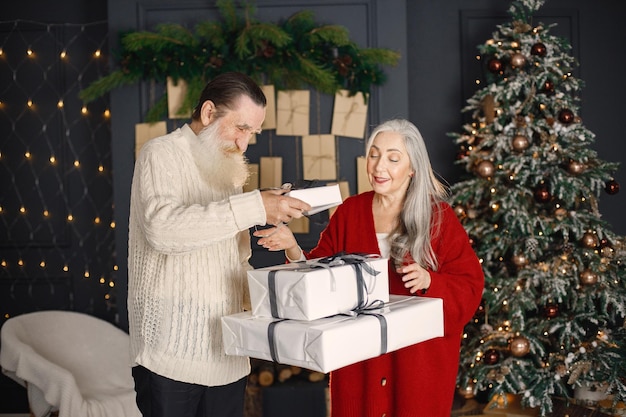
x: 334, y: 342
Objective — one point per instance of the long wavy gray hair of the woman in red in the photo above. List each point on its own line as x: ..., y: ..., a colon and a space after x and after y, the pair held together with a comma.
x: 419, y: 217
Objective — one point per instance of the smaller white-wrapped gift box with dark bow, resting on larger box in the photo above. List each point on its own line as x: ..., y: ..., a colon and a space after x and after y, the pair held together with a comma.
x: 304, y: 291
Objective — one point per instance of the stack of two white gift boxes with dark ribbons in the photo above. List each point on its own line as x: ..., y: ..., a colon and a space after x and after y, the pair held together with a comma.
x: 324, y: 314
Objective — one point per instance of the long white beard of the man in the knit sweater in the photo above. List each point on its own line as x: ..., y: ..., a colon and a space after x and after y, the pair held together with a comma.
x: 220, y: 162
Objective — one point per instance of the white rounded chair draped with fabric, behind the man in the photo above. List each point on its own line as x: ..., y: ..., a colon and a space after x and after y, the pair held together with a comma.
x: 71, y: 363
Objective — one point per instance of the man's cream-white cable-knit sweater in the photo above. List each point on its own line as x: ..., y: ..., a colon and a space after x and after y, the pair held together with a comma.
x: 189, y: 248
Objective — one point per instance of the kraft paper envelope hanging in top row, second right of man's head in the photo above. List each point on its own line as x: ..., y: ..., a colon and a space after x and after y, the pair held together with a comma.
x: 292, y: 118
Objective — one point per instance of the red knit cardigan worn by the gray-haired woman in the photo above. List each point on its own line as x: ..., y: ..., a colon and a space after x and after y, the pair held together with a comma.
x: 419, y: 380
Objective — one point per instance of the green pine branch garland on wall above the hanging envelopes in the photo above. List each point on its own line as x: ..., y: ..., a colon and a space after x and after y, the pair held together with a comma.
x: 291, y: 54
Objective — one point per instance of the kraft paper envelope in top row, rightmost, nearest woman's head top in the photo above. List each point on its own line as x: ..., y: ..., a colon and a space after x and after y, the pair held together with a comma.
x: 349, y: 115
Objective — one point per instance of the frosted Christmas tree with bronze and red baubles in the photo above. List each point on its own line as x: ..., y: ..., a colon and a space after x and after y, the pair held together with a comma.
x: 552, y: 317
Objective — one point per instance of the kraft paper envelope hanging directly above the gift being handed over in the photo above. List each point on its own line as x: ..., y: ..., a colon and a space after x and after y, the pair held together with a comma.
x: 319, y: 159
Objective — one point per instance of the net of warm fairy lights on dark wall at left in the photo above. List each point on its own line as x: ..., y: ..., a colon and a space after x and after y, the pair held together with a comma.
x: 56, y: 209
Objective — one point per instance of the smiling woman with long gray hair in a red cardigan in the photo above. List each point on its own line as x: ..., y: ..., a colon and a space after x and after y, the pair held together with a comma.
x: 405, y: 218
